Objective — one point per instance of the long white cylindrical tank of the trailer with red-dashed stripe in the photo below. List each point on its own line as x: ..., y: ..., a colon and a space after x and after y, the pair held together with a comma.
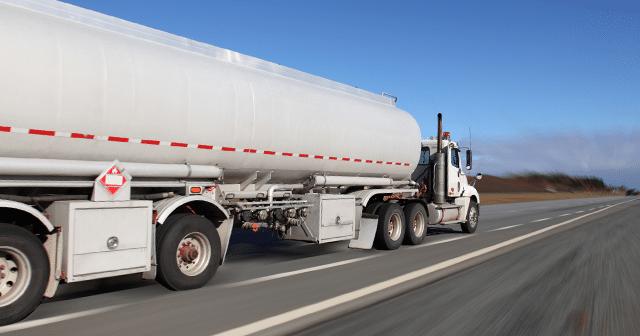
x: 80, y: 85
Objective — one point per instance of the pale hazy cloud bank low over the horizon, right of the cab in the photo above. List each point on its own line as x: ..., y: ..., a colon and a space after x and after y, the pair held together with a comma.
x: 613, y: 156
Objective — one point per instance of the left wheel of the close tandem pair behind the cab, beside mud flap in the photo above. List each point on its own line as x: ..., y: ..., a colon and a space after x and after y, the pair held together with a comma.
x: 391, y: 227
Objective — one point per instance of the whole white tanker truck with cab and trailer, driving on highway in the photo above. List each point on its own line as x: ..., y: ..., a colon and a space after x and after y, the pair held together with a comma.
x: 127, y: 150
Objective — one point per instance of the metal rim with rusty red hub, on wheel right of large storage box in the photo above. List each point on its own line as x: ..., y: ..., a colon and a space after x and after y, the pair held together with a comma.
x: 193, y: 254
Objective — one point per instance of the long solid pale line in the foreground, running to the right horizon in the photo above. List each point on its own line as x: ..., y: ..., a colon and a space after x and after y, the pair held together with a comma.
x: 341, y: 299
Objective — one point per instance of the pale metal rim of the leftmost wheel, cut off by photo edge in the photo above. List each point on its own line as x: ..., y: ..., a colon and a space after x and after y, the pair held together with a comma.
x: 15, y: 274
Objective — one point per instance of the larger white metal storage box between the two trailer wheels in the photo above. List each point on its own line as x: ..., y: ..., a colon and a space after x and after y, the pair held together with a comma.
x: 103, y: 239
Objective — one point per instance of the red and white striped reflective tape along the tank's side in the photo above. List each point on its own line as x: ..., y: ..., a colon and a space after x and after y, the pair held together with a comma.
x: 185, y: 145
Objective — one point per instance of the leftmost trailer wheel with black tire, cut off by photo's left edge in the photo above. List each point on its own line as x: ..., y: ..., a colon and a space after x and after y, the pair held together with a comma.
x: 24, y: 273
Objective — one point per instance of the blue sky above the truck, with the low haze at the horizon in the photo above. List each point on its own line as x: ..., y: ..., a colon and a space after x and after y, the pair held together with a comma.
x: 549, y: 86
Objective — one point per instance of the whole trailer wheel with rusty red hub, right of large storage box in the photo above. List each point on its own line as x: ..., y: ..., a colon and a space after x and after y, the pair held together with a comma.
x: 179, y: 268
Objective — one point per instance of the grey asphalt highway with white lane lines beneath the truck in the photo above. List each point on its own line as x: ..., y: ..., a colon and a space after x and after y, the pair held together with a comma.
x: 568, y: 267
